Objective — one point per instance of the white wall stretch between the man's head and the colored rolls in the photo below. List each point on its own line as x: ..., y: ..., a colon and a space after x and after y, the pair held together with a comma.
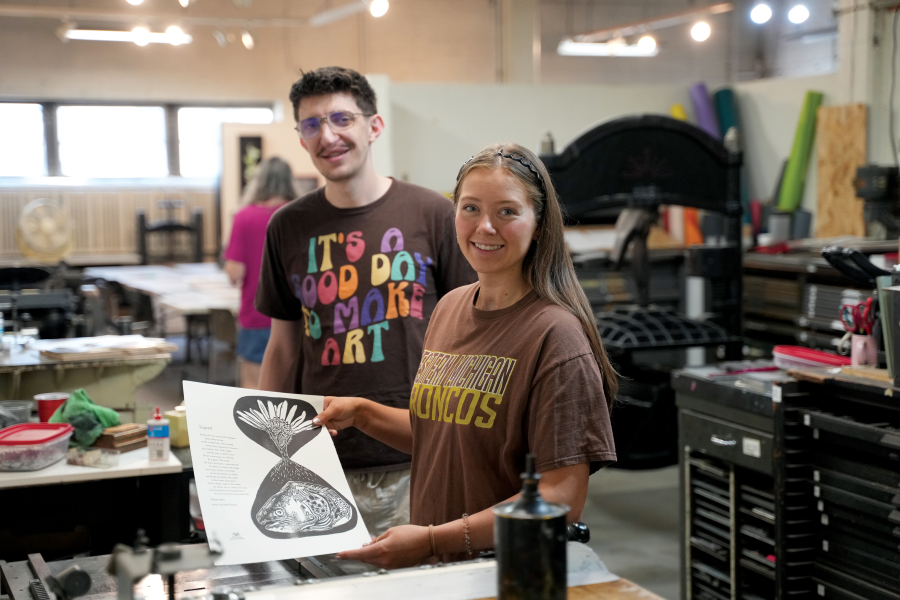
x: 438, y: 127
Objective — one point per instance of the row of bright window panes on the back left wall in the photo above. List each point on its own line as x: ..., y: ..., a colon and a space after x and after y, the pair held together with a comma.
x: 117, y: 140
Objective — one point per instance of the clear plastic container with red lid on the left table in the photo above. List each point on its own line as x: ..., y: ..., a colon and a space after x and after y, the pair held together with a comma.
x: 33, y: 446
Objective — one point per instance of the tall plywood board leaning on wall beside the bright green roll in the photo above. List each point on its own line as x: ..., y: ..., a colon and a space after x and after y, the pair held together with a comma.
x: 840, y: 149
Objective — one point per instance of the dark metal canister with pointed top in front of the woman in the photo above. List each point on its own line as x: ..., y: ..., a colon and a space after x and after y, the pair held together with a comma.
x: 530, y: 541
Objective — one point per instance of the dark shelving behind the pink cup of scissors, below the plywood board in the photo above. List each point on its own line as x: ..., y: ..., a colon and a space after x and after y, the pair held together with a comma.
x: 795, y: 300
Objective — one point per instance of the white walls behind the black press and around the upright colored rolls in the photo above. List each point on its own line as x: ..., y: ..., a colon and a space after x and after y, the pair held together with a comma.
x: 437, y: 127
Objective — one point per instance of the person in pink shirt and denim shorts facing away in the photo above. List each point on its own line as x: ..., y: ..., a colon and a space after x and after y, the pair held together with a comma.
x: 271, y: 188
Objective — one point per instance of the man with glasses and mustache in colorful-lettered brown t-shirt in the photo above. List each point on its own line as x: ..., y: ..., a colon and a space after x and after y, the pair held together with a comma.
x: 350, y: 276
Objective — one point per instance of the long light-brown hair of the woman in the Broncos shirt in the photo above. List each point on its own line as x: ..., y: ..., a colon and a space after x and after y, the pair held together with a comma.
x: 547, y: 266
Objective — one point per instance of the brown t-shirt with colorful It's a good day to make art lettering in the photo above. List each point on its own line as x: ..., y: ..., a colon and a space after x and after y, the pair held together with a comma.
x: 365, y: 282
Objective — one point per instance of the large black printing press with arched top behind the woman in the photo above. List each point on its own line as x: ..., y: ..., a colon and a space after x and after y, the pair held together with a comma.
x: 622, y: 172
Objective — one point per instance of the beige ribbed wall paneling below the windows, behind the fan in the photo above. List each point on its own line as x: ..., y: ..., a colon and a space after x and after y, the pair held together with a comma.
x: 104, y: 220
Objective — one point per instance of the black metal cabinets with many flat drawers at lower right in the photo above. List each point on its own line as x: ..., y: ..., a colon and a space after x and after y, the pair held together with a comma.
x: 791, y: 491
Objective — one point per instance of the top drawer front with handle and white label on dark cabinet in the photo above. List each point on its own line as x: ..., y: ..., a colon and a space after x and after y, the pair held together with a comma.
x: 726, y: 440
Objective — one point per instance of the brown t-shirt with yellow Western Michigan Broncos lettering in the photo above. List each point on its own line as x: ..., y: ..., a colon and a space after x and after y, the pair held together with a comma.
x: 492, y: 386
